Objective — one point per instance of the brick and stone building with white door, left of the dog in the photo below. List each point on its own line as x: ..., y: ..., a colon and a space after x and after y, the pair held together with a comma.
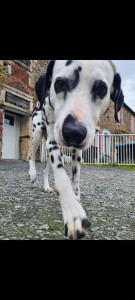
x: 17, y: 99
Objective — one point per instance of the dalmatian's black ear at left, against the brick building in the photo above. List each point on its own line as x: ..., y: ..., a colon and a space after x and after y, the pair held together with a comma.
x: 43, y: 84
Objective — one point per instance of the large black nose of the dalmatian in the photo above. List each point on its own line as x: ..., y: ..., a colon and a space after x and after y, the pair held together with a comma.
x: 74, y: 133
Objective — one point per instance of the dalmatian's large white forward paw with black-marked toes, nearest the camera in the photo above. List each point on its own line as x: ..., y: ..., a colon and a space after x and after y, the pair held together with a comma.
x: 75, y: 220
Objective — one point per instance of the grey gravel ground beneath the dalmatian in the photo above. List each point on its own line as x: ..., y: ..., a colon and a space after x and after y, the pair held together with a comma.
x: 26, y: 212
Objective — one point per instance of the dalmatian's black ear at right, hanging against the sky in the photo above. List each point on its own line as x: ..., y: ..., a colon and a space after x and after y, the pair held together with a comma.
x: 117, y: 95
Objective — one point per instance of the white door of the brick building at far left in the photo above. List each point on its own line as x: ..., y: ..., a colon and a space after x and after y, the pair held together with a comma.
x: 11, y: 134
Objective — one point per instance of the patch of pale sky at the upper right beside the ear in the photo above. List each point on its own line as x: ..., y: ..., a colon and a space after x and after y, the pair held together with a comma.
x: 126, y: 69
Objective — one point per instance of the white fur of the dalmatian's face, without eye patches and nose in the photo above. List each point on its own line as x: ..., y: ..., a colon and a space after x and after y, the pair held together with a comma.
x: 79, y: 101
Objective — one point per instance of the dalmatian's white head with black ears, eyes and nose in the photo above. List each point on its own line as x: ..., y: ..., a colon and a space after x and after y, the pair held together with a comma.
x: 80, y: 92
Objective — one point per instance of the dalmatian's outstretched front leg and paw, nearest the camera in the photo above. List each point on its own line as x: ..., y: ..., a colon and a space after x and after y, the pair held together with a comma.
x: 75, y: 218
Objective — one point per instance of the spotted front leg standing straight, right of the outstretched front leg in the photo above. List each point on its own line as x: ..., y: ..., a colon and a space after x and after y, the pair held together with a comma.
x: 76, y: 165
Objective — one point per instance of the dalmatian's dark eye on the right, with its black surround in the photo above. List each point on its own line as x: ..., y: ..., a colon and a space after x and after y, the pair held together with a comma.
x: 99, y: 89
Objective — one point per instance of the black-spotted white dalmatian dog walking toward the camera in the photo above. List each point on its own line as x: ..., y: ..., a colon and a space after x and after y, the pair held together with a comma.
x: 72, y: 96
